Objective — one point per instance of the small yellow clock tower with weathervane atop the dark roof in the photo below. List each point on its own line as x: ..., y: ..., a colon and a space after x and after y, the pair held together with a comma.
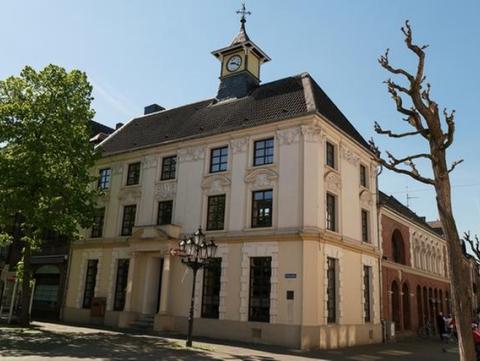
x: 240, y: 64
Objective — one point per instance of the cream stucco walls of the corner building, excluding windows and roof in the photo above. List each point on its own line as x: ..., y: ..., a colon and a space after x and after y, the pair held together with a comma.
x: 298, y: 242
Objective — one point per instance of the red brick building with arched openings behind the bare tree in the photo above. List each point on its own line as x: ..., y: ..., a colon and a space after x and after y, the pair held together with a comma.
x: 415, y: 285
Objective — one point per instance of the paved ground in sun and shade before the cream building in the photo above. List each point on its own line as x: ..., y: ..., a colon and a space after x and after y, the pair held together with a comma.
x: 48, y: 341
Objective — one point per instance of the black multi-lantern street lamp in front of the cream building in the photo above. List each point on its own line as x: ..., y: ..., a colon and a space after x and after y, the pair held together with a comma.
x: 196, y: 252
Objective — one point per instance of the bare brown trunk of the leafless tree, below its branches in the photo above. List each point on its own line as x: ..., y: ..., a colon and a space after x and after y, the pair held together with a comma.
x: 459, y: 276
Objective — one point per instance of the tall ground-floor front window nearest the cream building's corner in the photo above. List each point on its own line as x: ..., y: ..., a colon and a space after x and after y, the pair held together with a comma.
x: 259, y: 302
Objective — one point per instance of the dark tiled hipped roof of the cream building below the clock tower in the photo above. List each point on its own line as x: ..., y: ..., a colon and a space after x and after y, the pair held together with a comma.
x: 268, y: 103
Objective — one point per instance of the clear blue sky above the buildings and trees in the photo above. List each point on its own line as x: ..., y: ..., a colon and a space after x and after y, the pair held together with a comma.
x: 158, y: 51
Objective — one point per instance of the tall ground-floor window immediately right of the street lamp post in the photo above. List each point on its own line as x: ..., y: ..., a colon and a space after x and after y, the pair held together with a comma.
x: 211, y: 288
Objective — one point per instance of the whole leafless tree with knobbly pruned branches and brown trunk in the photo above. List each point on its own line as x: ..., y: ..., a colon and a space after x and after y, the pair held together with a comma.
x: 437, y: 130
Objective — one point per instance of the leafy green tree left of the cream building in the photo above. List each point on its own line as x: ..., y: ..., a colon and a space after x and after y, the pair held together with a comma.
x: 45, y: 157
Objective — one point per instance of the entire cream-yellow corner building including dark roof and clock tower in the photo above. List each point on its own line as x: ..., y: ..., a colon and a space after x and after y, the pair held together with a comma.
x: 282, y: 181
